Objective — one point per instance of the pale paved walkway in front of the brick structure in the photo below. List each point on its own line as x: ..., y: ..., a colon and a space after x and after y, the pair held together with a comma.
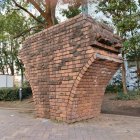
x: 17, y: 125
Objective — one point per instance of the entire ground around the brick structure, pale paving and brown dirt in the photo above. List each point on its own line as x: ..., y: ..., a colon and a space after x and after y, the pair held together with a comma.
x: 18, y: 122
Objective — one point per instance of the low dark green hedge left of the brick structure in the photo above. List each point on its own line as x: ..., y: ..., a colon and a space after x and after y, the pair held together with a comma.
x: 12, y: 94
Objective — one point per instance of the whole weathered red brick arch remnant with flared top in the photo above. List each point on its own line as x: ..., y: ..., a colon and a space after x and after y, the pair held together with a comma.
x: 69, y: 66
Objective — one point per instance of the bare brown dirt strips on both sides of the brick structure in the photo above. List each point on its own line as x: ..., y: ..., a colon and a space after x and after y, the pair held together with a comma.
x: 109, y: 106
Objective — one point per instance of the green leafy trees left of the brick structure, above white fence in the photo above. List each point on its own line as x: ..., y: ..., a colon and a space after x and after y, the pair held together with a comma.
x: 11, y: 24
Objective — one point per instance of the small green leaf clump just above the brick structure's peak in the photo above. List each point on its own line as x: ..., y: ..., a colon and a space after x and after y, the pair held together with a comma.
x: 71, y: 12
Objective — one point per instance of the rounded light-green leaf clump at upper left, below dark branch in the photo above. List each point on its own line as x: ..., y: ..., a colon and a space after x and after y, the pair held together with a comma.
x: 12, y: 24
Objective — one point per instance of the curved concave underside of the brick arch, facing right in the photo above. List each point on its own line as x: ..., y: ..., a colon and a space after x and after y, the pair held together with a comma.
x: 86, y: 97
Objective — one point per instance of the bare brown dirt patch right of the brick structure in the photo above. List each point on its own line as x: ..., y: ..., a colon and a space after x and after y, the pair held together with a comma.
x: 129, y: 108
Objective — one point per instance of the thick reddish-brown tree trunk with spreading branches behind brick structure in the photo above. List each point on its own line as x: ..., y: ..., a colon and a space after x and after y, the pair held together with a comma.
x: 45, y: 8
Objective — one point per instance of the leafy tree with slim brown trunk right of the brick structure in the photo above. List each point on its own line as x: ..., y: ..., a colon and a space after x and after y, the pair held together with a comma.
x: 124, y: 15
